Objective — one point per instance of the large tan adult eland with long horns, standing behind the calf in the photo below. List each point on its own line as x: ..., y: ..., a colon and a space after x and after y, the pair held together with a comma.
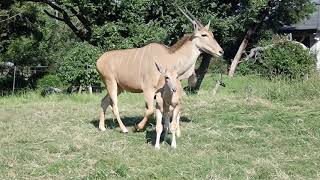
x: 133, y: 70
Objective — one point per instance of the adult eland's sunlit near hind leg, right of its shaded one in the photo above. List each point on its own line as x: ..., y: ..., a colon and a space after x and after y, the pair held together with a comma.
x: 113, y: 91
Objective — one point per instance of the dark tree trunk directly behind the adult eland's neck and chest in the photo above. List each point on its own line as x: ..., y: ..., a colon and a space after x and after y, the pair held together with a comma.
x: 194, y: 82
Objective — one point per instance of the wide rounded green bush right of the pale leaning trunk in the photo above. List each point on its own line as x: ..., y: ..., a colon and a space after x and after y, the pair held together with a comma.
x: 284, y: 59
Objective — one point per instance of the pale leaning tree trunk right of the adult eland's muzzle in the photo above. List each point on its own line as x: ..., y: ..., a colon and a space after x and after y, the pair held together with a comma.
x: 241, y: 49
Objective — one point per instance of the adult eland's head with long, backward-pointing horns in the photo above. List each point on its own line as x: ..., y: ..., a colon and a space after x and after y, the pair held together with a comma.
x: 202, y: 37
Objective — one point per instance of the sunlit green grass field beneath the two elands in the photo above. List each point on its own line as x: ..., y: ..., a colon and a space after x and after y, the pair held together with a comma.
x: 252, y: 129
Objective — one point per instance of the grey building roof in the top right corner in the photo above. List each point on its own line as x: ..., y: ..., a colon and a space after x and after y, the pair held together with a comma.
x: 310, y: 24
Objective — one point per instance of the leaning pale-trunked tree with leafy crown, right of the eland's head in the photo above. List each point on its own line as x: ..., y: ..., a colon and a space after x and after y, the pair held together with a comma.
x: 273, y: 13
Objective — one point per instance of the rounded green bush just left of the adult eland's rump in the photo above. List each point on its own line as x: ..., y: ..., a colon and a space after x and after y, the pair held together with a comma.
x: 78, y: 65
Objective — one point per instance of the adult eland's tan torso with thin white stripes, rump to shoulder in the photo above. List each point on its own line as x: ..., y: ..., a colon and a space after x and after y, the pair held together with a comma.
x: 133, y: 69
